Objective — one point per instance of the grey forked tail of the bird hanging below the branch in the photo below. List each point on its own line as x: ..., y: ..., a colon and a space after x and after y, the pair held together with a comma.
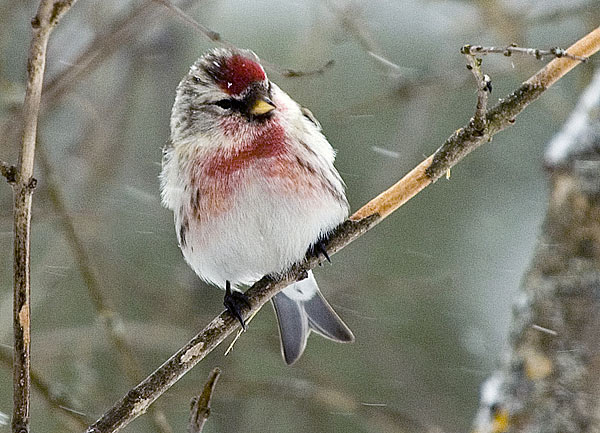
x: 301, y: 308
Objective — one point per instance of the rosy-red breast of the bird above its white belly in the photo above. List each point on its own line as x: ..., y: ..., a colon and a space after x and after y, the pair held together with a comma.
x: 263, y: 161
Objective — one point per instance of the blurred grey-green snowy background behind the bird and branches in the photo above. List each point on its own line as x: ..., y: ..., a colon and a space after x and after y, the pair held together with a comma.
x: 428, y: 293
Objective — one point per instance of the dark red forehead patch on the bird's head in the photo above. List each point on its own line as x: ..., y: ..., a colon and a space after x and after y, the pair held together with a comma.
x: 237, y: 73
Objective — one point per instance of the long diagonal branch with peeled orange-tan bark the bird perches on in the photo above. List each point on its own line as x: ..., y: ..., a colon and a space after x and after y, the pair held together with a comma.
x: 456, y: 147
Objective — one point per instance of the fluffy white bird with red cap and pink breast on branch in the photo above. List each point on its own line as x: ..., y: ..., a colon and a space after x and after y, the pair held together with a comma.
x: 250, y: 179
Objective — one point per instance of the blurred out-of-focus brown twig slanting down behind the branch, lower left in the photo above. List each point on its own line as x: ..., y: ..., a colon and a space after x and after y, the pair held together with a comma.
x: 110, y: 318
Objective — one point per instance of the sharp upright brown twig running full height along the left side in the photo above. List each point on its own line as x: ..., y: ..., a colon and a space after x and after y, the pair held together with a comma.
x: 48, y: 15
